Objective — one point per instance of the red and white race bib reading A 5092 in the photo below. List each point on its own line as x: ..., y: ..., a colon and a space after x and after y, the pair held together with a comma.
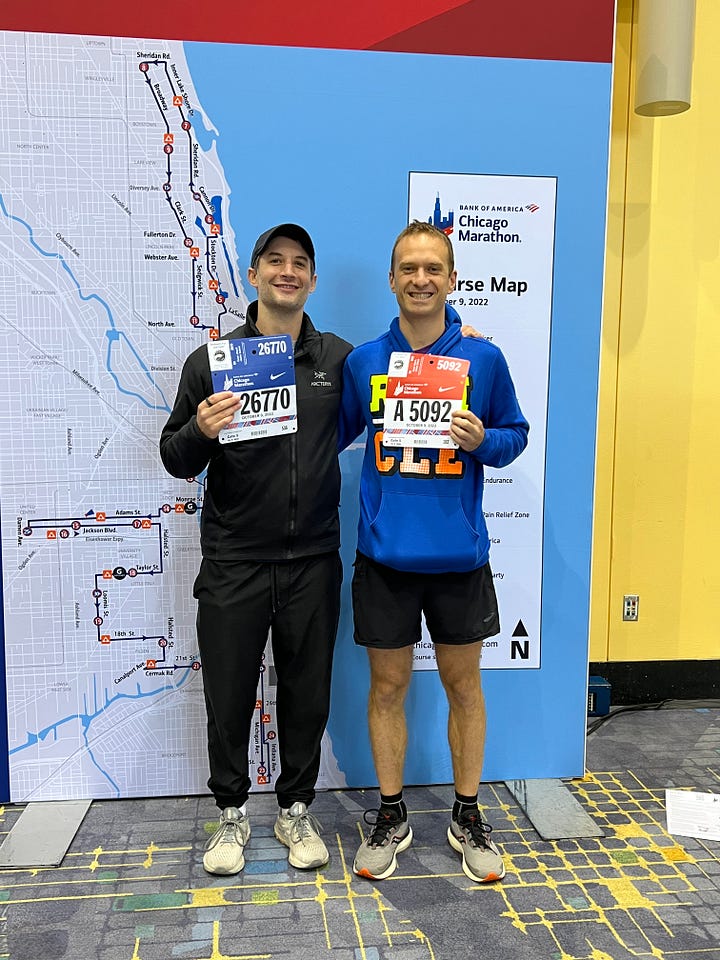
x: 423, y: 391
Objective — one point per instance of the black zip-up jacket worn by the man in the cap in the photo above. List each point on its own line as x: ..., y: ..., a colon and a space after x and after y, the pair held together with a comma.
x: 275, y: 498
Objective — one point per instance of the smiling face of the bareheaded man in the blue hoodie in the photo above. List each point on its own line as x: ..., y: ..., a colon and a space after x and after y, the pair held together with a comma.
x: 421, y: 277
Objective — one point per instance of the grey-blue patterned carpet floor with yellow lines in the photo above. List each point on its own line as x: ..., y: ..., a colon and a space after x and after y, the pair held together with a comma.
x: 132, y: 885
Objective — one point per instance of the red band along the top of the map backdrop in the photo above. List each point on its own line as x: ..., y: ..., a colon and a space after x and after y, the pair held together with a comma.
x: 527, y: 29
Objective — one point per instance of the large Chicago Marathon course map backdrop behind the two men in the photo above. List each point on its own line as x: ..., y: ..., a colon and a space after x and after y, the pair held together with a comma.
x: 136, y: 175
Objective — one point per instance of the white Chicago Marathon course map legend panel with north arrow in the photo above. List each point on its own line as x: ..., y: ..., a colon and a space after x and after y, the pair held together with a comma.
x: 503, y: 230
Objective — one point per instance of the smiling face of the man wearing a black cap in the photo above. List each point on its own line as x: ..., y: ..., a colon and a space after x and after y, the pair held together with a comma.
x: 283, y: 275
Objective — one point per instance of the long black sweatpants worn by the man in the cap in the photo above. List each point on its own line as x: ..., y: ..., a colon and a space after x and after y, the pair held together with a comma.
x: 238, y: 603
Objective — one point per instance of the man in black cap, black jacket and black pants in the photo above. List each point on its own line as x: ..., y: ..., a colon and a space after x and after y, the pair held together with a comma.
x: 270, y: 538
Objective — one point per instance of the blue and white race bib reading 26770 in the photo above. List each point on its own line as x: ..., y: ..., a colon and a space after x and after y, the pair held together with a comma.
x: 261, y: 371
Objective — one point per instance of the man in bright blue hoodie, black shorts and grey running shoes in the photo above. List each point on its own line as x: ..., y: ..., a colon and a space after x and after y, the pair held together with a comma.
x: 423, y: 547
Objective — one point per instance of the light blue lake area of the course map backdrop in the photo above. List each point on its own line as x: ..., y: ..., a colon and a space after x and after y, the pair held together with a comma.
x: 327, y: 138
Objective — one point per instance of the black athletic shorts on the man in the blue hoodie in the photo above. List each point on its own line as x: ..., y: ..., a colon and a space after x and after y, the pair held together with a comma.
x: 387, y: 605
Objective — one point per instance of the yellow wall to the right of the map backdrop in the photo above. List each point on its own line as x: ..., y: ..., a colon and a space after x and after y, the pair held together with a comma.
x: 657, y: 500
